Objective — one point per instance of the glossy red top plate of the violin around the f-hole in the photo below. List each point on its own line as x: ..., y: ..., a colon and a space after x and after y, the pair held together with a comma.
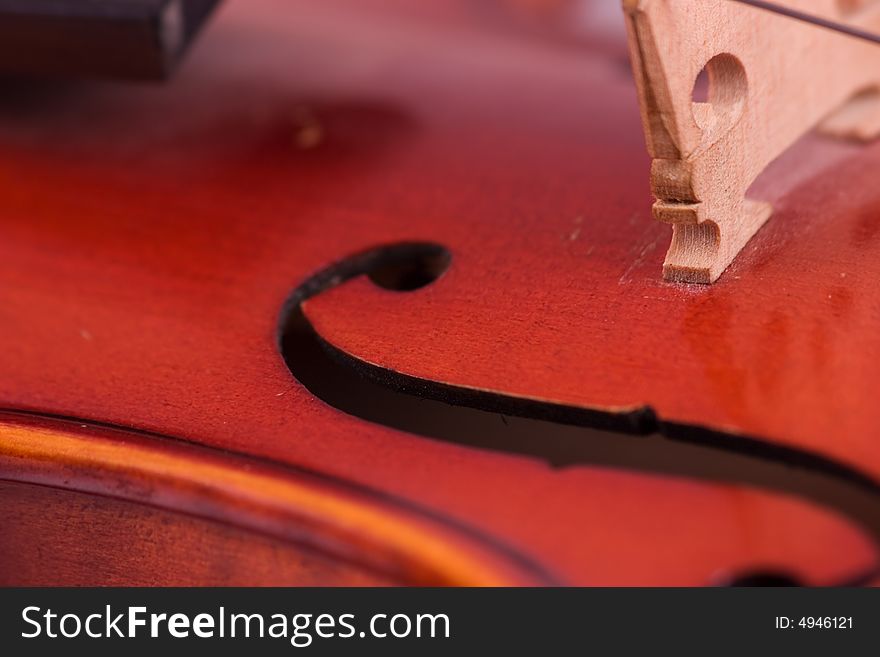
x: 152, y: 234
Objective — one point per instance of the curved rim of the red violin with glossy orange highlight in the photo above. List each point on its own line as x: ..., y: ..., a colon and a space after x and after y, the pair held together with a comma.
x: 341, y: 522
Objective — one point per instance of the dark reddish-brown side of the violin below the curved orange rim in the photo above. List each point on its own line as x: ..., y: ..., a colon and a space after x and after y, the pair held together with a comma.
x: 55, y: 537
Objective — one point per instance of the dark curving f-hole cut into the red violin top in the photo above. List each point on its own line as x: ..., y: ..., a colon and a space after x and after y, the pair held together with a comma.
x: 560, y: 435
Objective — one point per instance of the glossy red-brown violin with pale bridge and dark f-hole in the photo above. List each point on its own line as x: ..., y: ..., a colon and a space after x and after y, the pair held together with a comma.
x: 371, y: 292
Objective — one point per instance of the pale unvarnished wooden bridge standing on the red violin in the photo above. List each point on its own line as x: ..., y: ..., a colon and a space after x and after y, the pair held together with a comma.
x: 770, y: 81
